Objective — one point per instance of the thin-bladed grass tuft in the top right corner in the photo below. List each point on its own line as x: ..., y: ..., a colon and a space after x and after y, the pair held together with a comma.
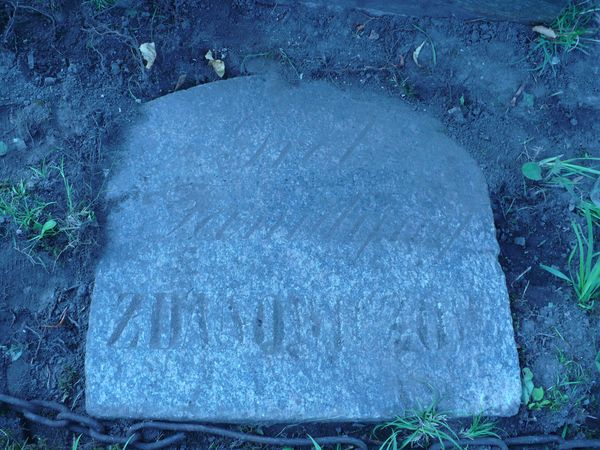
x: 572, y: 29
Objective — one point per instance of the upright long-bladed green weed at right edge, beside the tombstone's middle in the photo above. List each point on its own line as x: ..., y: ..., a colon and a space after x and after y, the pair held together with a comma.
x: 584, y: 275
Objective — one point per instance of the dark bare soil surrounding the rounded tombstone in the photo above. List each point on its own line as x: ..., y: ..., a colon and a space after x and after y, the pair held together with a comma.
x: 71, y: 79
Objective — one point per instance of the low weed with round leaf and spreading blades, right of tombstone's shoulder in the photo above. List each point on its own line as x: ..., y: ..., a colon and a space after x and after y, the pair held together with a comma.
x: 566, y: 173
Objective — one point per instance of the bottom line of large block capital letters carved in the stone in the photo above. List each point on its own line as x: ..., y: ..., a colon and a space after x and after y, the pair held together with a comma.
x: 279, y: 325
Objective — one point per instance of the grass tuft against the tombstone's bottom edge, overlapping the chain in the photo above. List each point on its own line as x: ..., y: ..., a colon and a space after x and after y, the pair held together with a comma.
x: 418, y: 428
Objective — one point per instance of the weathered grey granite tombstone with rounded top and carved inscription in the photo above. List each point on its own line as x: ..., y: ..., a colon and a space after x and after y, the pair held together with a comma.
x: 282, y: 253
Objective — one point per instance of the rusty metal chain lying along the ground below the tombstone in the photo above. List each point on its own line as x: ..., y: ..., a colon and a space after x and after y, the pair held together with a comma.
x: 55, y: 415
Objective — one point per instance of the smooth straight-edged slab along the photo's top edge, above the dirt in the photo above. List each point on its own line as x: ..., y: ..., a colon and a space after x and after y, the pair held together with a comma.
x: 525, y: 11
